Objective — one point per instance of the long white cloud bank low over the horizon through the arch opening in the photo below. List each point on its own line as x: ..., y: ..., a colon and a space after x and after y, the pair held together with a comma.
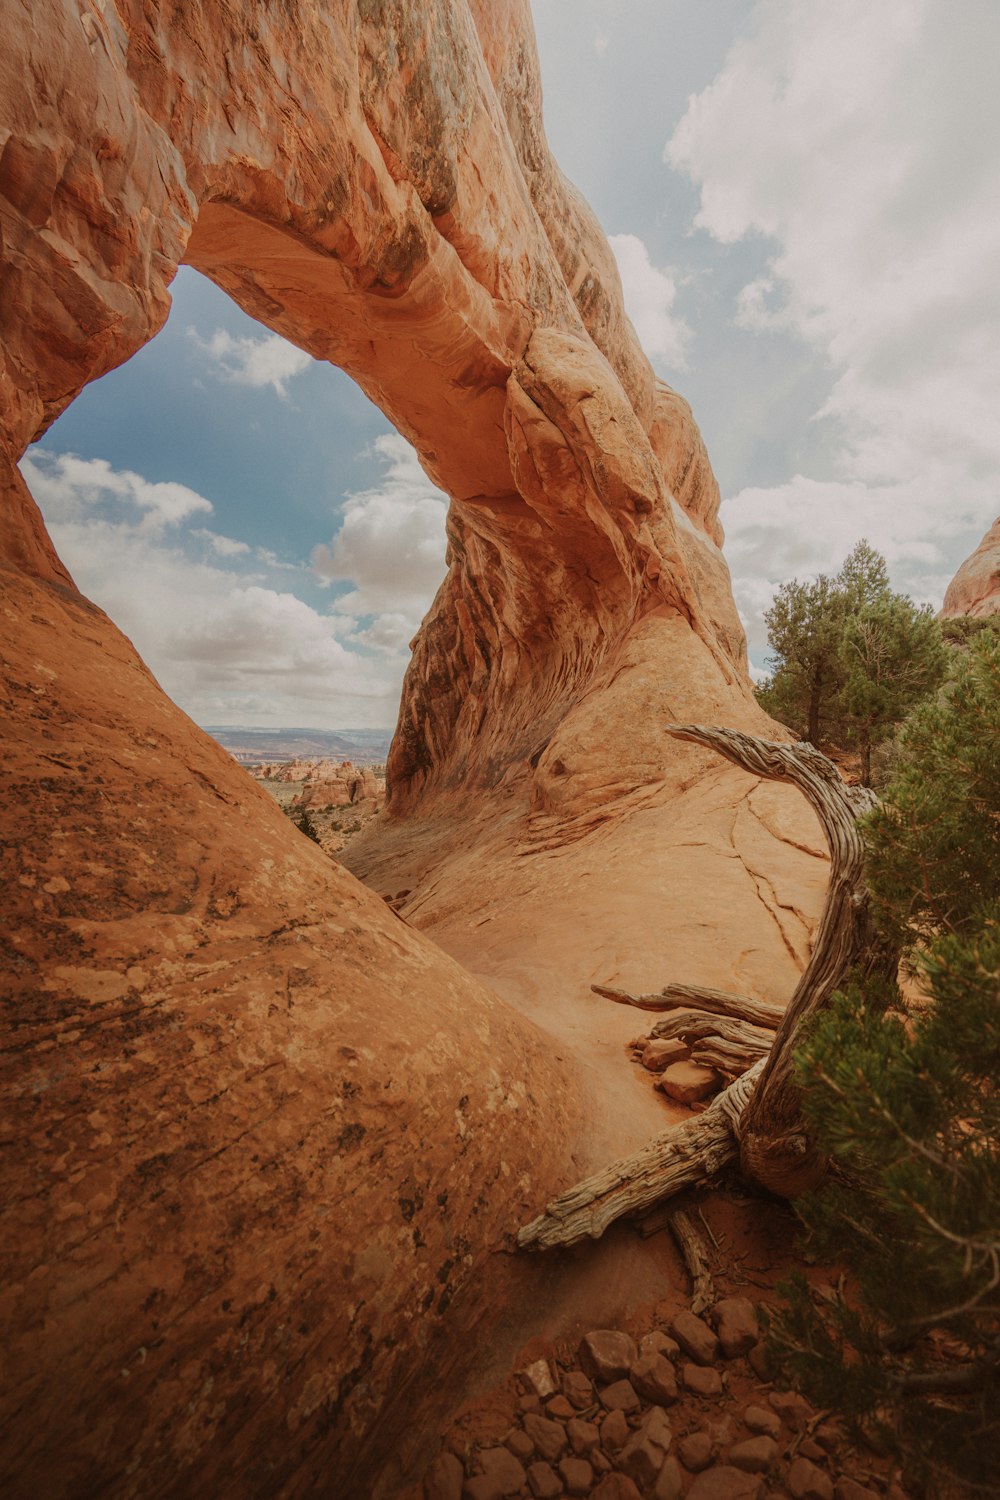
x: 202, y: 608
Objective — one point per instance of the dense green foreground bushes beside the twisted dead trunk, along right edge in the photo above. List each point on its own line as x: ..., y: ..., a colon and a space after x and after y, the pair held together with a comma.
x: 908, y: 1105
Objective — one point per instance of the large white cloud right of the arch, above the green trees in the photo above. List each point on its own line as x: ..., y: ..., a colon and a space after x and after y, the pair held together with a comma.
x: 860, y: 142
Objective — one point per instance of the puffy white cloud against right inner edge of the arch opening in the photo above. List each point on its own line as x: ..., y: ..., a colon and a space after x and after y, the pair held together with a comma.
x: 391, y: 547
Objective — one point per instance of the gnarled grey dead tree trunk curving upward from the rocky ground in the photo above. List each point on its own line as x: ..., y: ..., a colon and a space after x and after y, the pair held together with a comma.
x: 759, y: 1117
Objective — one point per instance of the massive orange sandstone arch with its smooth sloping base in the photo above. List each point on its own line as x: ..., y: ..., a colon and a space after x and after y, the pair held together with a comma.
x: 263, y: 1136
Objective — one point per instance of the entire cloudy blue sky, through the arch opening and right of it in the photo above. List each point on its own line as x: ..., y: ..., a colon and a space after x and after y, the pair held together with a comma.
x: 804, y: 202
